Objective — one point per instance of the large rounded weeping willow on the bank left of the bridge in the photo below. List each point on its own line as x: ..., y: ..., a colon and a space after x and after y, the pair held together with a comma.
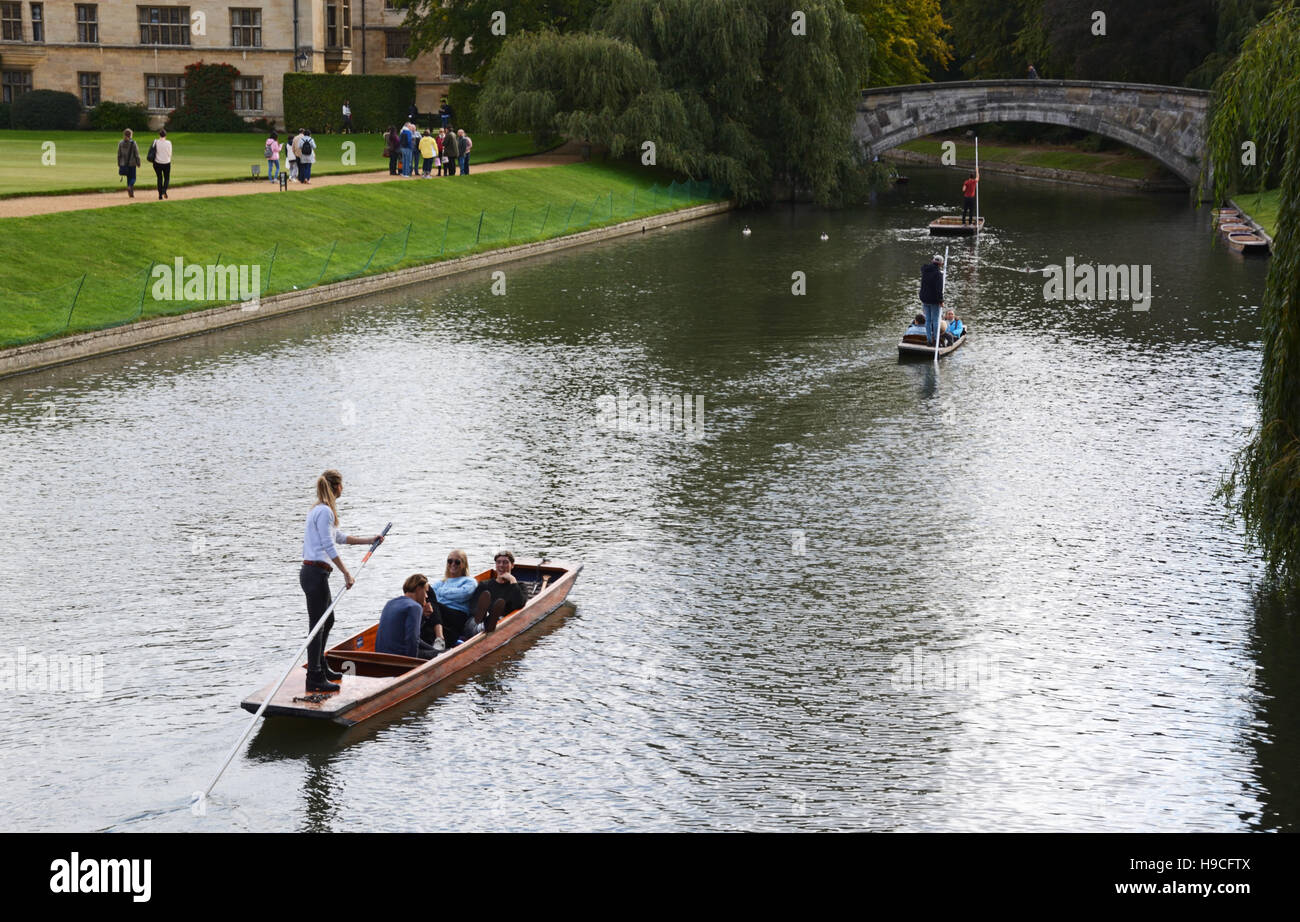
x: 746, y: 93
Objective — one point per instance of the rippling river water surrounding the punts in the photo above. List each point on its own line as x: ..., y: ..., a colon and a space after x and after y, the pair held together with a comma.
x: 864, y: 595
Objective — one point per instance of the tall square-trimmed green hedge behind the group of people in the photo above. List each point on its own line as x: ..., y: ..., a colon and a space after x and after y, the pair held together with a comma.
x: 317, y: 101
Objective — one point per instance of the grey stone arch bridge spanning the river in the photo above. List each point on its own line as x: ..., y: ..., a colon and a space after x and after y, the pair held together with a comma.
x: 1163, y: 122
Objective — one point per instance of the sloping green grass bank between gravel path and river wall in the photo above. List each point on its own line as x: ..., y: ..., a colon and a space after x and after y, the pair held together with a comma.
x: 84, y: 271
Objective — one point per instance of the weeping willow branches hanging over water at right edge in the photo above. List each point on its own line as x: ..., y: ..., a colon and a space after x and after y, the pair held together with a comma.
x: 1259, y: 99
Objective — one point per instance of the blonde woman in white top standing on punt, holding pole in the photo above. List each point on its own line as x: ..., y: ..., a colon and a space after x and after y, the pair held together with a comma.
x: 323, y: 534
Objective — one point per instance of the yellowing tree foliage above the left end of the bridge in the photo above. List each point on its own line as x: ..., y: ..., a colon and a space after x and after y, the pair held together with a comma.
x: 907, y: 40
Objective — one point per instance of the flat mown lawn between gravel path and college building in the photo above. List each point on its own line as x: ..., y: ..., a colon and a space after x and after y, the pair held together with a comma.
x: 86, y: 162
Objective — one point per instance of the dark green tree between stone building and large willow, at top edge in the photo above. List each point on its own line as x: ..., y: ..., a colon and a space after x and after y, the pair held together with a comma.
x: 465, y: 28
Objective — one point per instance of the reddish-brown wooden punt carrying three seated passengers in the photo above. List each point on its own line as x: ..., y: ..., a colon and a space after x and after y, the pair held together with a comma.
x: 376, y: 682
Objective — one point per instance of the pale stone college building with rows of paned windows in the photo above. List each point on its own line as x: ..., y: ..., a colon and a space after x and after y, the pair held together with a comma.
x: 129, y: 53
